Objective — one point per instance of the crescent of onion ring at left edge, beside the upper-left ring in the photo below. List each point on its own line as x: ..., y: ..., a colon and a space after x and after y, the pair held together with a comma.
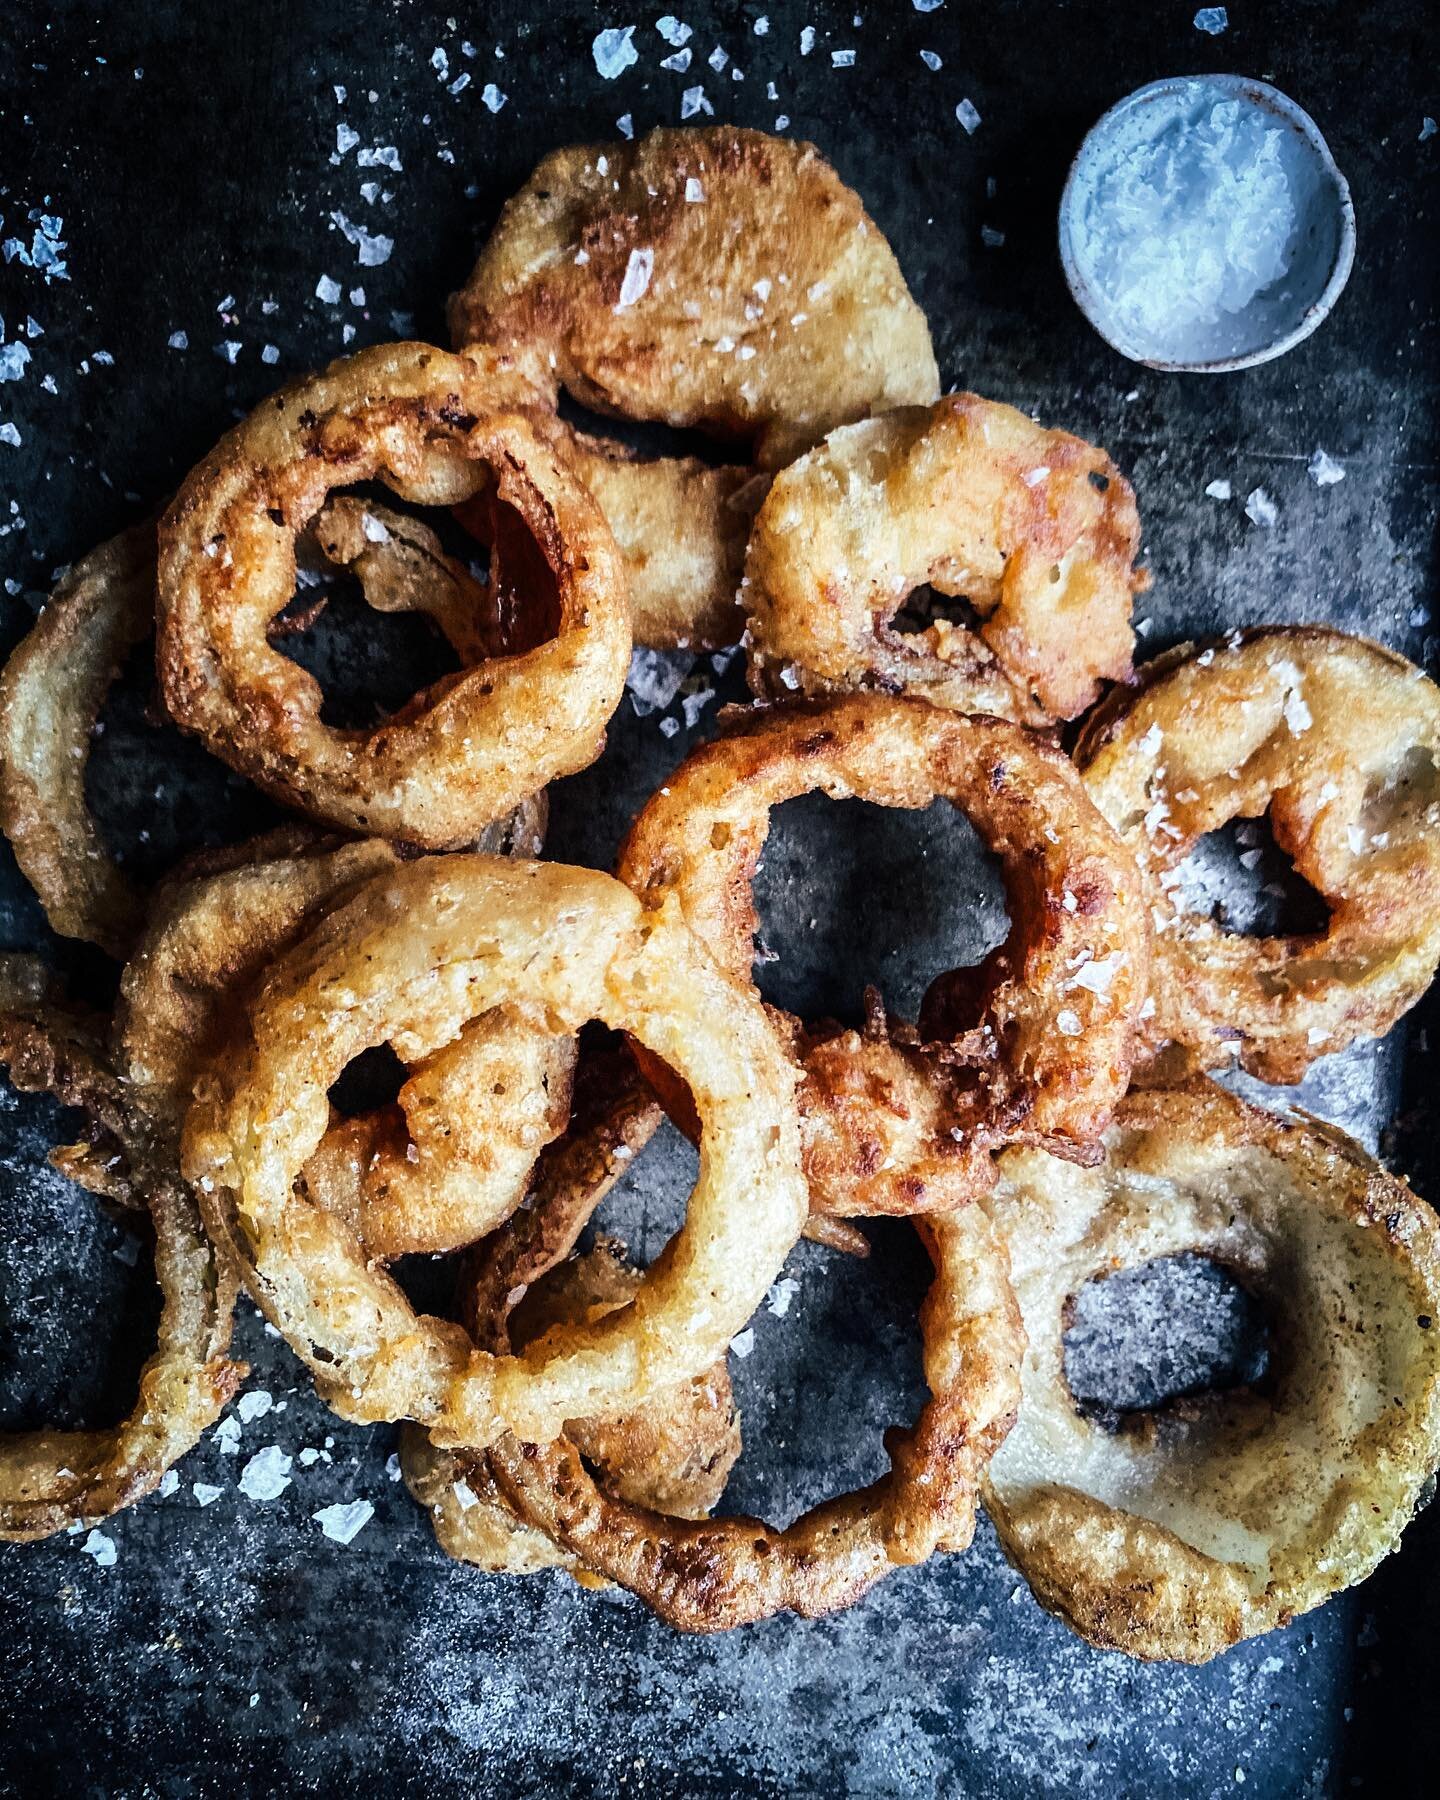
x: 51, y: 696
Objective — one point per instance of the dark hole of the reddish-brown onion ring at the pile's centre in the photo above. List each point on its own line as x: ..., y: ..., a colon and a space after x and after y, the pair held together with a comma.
x: 906, y: 897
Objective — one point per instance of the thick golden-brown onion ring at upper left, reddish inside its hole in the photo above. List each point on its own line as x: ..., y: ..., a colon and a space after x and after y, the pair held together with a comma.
x: 472, y: 746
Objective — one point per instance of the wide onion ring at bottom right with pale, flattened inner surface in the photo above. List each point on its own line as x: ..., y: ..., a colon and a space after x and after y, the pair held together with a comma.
x: 1196, y: 1527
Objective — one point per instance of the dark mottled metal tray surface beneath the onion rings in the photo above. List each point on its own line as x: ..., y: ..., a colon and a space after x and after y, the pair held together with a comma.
x: 238, y: 1650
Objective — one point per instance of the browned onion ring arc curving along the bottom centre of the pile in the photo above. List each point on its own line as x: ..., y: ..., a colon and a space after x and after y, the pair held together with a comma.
x: 719, y: 1574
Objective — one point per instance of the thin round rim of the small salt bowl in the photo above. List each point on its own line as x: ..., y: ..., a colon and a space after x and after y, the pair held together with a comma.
x: 1263, y: 93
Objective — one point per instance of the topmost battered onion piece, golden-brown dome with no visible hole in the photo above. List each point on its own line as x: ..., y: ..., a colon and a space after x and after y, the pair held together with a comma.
x: 714, y: 278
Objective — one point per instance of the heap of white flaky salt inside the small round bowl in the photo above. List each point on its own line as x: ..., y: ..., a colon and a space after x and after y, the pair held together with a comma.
x: 1192, y: 215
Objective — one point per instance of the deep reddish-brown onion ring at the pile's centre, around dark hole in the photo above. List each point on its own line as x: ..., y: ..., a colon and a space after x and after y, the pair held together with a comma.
x: 1043, y: 1036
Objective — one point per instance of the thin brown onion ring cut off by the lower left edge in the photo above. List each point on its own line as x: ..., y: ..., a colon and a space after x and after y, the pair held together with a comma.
x: 55, y: 1480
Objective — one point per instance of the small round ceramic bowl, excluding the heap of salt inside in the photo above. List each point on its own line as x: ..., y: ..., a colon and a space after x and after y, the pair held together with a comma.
x: 1282, y: 314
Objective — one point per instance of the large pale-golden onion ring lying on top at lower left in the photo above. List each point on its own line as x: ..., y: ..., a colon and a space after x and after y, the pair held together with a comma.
x: 411, y: 960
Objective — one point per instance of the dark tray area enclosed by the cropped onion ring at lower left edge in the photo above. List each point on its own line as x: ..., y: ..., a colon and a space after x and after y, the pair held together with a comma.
x: 78, y: 1299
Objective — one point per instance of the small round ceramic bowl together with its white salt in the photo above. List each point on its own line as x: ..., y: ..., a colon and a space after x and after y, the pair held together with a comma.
x: 1205, y: 224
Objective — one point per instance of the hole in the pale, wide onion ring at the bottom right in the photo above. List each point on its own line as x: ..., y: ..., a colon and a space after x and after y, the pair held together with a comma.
x: 1158, y: 1333
